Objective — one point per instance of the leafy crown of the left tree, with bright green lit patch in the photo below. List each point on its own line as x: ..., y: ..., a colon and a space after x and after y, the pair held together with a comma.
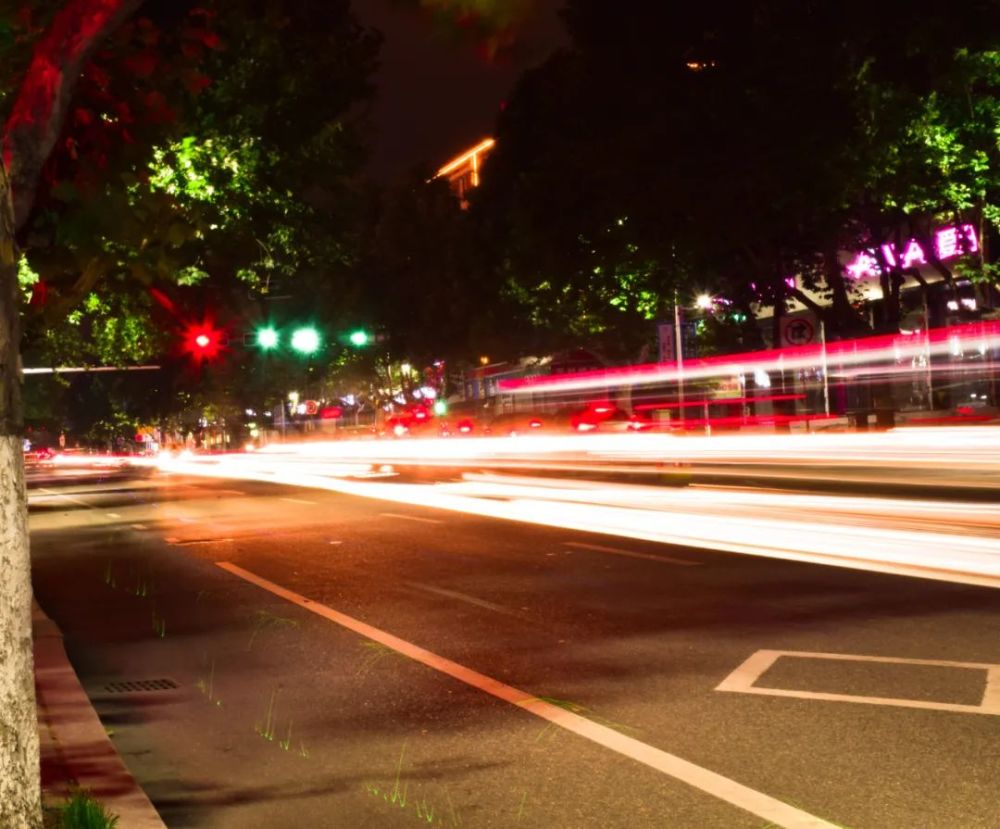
x: 203, y: 144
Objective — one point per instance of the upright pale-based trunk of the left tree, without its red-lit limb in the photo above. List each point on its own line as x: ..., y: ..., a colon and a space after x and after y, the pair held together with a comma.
x: 20, y: 795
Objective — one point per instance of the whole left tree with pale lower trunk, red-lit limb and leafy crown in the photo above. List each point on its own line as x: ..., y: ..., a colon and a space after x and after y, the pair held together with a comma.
x: 275, y: 121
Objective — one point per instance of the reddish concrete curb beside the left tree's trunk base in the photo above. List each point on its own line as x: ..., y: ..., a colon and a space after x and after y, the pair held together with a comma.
x: 76, y: 749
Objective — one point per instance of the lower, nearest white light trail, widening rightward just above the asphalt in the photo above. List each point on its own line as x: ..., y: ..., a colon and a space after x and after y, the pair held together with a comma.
x: 932, y: 538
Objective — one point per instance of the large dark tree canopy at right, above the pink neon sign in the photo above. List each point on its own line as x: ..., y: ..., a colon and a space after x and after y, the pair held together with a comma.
x: 687, y: 147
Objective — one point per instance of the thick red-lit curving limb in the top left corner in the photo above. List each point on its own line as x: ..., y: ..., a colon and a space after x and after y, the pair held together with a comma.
x: 38, y: 113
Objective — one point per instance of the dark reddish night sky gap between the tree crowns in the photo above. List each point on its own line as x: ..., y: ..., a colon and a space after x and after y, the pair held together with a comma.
x: 438, y: 95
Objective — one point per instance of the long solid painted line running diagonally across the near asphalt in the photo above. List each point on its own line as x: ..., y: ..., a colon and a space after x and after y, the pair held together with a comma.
x: 768, y: 808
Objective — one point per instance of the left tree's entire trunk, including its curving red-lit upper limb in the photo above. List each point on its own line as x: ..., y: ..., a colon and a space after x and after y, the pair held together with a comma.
x: 33, y: 126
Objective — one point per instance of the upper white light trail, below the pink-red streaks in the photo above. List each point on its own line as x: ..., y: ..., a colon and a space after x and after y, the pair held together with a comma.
x: 929, y: 458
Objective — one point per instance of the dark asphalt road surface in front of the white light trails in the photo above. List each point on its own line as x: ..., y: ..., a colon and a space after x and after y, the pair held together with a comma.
x: 359, y: 663
